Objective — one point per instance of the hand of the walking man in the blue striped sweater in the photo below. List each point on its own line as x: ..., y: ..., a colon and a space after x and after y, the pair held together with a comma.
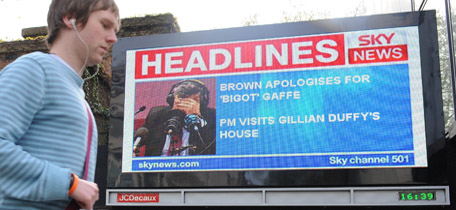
x: 86, y: 194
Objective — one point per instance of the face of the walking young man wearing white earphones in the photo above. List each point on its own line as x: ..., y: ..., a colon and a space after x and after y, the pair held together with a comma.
x: 100, y: 34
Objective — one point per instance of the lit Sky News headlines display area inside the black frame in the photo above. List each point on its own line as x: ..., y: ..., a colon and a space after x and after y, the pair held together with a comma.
x: 343, y: 100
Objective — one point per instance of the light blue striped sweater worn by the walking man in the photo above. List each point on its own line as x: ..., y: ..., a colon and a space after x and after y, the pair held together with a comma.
x: 43, y: 132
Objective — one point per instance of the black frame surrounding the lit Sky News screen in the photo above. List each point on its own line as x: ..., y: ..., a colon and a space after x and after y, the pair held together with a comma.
x: 434, y: 174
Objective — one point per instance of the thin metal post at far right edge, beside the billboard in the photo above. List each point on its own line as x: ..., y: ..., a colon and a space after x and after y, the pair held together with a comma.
x: 451, y: 48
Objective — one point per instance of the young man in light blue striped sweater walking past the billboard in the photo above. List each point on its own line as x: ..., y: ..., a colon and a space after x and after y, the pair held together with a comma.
x: 48, y: 136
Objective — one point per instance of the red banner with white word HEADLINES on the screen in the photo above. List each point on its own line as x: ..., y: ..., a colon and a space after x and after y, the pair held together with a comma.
x: 276, y: 54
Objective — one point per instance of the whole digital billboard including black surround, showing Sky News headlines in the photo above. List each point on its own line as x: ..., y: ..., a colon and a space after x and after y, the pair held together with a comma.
x: 351, y: 94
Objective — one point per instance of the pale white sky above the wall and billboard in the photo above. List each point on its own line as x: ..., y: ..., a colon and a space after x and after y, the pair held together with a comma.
x: 196, y: 15
